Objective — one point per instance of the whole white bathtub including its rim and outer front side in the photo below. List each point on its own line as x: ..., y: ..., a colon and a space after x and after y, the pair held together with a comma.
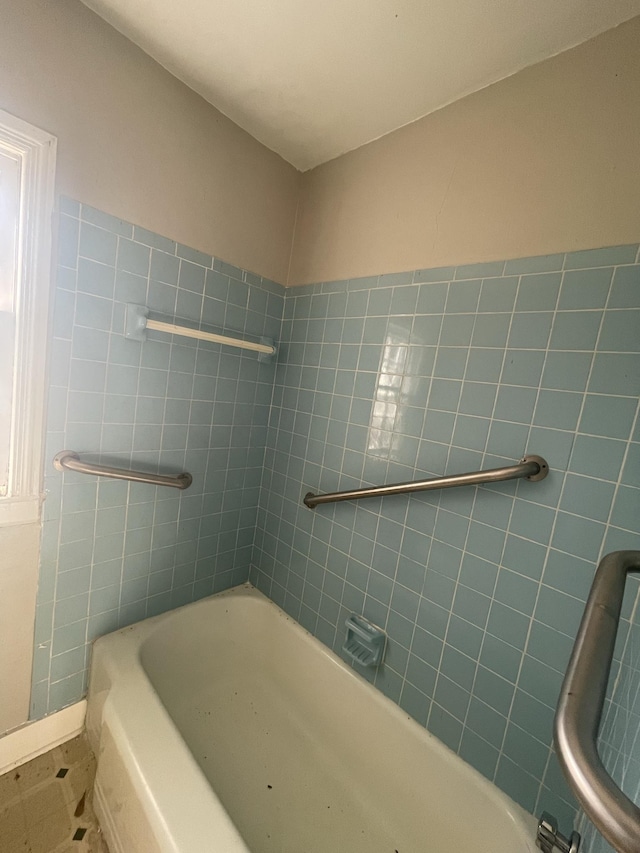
x: 224, y: 727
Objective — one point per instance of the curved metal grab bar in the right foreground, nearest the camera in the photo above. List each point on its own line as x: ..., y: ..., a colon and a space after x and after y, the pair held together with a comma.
x: 581, y: 702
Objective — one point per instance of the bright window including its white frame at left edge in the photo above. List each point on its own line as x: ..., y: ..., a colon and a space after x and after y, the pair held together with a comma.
x: 27, y: 167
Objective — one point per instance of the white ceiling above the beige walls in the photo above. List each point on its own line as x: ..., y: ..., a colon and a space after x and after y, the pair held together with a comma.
x: 312, y: 80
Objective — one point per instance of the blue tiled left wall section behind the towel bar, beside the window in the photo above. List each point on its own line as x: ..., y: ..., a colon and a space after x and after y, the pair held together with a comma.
x: 114, y: 552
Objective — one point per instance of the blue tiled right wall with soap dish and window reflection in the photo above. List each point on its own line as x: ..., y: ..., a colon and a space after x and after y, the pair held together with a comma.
x: 406, y: 376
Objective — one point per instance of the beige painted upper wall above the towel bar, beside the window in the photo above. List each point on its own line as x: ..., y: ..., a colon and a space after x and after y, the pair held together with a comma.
x: 137, y: 143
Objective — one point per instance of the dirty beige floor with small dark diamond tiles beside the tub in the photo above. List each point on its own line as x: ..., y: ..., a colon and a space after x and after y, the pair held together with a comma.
x: 46, y: 804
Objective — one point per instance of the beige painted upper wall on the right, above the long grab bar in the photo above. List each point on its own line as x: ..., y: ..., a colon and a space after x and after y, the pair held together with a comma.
x: 545, y: 161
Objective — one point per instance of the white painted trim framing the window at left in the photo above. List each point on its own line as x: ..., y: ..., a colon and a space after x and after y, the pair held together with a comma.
x: 37, y: 152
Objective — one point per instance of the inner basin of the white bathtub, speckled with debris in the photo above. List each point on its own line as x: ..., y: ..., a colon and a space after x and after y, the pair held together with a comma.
x: 302, y: 752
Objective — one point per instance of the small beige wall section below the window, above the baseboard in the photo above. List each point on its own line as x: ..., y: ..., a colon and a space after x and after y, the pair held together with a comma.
x: 19, y: 546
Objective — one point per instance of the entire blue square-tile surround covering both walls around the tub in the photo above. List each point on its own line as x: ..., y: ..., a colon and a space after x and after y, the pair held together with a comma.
x: 377, y: 380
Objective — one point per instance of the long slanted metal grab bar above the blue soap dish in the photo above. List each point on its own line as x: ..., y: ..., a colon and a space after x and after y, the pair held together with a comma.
x: 531, y: 467
